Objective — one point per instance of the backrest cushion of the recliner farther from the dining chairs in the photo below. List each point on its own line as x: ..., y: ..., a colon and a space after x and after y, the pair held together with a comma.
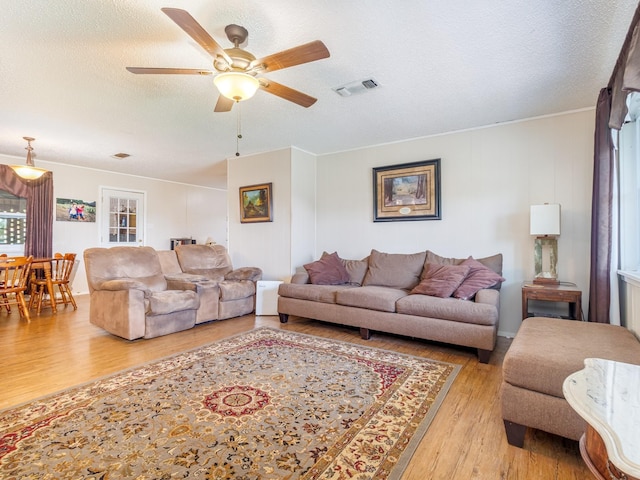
x: 212, y: 262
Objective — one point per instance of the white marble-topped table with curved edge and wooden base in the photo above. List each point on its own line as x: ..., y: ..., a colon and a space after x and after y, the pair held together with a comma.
x: 607, y: 395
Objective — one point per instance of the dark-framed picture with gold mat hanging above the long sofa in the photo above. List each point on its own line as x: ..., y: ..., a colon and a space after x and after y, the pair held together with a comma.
x: 405, y: 192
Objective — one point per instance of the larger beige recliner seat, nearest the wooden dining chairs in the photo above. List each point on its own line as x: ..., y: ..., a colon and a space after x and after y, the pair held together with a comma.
x: 129, y: 294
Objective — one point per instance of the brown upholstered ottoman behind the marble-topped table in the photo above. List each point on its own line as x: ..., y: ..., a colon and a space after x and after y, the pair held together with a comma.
x: 543, y: 353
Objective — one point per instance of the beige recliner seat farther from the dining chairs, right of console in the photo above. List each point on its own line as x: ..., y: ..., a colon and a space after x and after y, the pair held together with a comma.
x: 235, y: 289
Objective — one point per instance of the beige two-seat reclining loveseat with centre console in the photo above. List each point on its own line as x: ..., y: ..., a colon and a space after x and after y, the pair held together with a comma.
x: 138, y: 292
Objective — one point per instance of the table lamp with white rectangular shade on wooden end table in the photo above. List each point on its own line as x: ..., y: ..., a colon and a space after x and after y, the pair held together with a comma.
x: 545, y: 225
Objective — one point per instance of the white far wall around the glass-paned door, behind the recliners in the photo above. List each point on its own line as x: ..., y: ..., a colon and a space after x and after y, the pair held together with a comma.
x: 172, y: 210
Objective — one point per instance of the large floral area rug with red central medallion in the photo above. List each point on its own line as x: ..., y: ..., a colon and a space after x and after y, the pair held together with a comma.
x: 266, y: 404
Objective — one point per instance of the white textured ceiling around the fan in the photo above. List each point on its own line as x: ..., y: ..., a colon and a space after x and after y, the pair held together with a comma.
x: 442, y: 65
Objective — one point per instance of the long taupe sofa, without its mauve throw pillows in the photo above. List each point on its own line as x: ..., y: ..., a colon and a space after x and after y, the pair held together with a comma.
x: 383, y: 293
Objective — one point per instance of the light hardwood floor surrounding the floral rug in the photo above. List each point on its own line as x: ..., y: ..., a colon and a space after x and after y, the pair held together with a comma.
x: 465, y: 441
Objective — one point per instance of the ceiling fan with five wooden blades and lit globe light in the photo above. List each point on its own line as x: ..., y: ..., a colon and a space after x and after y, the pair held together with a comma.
x: 236, y: 70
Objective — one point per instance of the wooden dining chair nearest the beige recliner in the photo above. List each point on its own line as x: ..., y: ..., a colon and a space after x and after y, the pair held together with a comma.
x: 61, y: 268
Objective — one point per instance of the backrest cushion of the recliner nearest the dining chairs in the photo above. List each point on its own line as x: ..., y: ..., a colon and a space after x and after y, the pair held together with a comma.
x: 116, y: 263
